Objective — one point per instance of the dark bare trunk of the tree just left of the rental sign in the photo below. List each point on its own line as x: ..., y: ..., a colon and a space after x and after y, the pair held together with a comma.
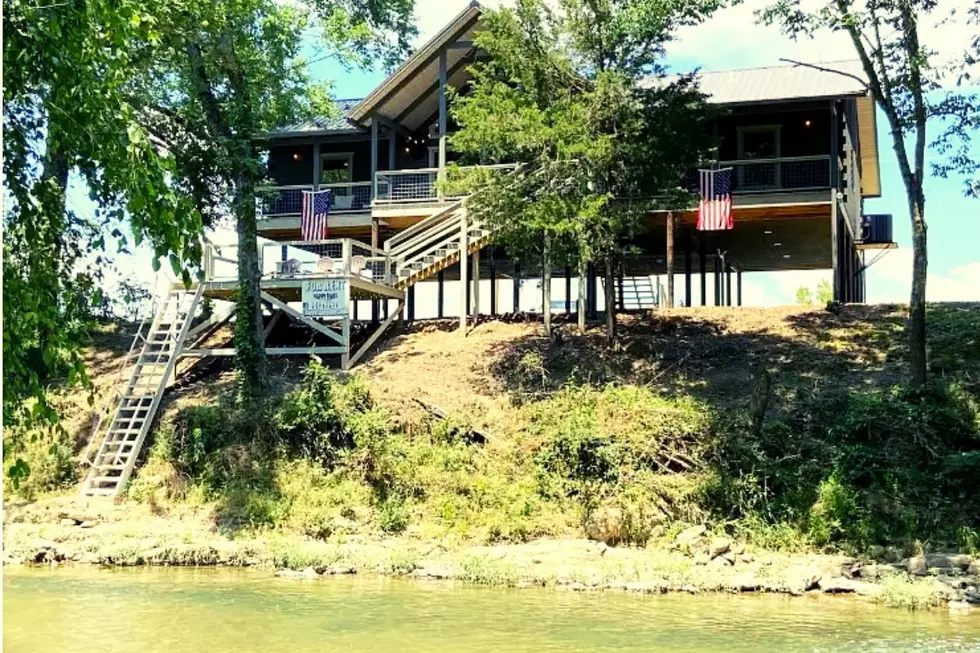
x: 250, y: 362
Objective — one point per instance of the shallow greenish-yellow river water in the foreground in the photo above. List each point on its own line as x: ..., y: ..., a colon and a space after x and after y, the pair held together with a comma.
x: 181, y: 610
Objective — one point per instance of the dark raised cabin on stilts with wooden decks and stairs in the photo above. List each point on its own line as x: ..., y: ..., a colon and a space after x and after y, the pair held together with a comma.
x: 800, y: 142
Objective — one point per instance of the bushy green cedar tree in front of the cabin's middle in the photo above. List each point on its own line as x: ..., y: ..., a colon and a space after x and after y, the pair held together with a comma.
x: 575, y: 91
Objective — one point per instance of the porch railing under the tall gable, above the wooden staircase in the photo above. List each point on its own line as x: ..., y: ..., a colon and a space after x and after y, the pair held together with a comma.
x: 422, y: 184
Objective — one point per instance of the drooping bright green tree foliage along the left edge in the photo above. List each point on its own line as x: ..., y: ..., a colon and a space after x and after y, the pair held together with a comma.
x: 67, y: 107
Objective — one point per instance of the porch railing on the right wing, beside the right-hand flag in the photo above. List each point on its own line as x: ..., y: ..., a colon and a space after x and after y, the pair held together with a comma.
x: 779, y: 174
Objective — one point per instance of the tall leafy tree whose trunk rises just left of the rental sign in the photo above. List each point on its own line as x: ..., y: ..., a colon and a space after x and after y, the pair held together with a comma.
x: 230, y: 70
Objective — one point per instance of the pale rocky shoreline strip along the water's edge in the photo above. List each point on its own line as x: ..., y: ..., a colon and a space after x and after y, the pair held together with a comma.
x: 694, y: 561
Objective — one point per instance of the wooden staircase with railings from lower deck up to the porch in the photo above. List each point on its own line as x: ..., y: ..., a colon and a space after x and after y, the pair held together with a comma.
x: 434, y: 244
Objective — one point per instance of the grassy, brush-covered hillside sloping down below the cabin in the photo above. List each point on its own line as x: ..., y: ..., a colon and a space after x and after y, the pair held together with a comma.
x: 789, y: 428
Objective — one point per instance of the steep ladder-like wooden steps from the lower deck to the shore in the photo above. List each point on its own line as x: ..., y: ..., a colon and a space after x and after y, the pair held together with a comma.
x: 140, y: 398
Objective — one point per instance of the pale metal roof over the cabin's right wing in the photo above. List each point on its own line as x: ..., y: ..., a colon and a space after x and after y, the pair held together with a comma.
x: 784, y: 83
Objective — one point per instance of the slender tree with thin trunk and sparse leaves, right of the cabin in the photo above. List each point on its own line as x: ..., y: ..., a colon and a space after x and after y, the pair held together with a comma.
x: 906, y: 85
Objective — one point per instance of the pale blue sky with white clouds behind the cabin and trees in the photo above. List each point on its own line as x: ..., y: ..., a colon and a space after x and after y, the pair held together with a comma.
x: 732, y: 39
